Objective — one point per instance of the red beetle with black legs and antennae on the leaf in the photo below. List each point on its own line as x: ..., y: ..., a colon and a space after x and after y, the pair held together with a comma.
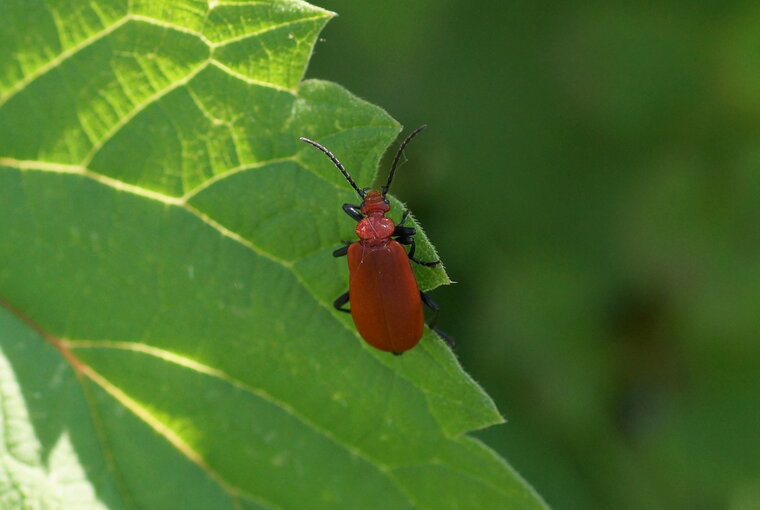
x: 386, y: 303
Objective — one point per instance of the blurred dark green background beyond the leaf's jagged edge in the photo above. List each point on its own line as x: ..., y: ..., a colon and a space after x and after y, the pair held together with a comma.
x: 591, y: 177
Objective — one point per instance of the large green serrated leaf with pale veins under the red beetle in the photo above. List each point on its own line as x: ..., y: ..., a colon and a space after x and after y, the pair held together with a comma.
x: 166, y: 333
